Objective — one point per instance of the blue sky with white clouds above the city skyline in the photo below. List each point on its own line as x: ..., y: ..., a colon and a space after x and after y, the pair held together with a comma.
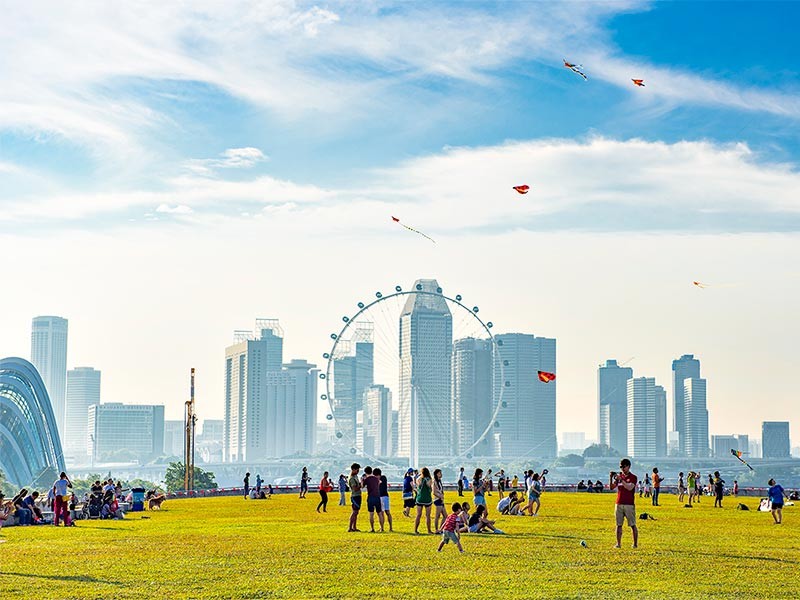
x: 168, y: 173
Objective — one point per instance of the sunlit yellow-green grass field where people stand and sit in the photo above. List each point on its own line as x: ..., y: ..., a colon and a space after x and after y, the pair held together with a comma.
x: 232, y: 548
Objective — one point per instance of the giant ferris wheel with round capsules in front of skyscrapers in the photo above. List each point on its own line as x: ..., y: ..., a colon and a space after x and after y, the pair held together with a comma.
x: 414, y: 377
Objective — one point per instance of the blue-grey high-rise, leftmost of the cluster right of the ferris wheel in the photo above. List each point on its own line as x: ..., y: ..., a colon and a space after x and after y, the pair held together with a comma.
x: 612, y: 402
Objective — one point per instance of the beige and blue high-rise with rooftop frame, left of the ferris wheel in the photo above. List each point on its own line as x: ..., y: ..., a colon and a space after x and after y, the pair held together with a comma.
x: 247, y: 363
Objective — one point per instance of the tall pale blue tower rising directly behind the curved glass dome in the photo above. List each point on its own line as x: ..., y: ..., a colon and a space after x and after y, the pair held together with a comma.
x: 49, y: 356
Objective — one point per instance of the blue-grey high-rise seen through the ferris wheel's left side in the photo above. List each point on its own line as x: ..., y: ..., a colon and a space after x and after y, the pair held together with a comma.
x: 353, y: 373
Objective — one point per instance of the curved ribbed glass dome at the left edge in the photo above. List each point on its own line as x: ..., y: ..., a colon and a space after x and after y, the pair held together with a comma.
x: 30, y: 448
